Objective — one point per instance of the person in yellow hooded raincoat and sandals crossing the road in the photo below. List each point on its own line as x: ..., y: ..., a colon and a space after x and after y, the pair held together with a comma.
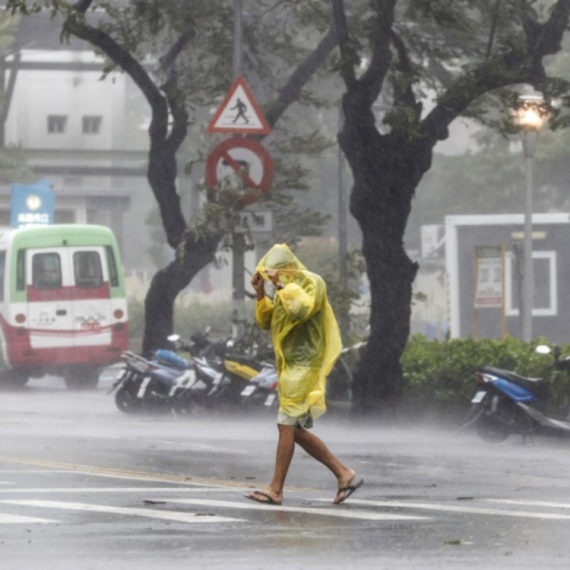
x: 306, y: 340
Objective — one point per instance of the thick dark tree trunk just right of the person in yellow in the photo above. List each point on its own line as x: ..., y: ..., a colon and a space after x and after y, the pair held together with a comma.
x: 387, y: 169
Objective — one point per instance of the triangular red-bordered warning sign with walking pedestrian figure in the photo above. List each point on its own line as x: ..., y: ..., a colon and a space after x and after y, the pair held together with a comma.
x: 239, y: 113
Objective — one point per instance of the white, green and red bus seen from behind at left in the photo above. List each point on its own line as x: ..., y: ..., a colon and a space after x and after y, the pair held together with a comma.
x: 63, y: 309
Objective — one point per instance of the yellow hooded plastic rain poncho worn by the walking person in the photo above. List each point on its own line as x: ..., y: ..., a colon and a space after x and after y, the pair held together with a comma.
x: 304, y: 331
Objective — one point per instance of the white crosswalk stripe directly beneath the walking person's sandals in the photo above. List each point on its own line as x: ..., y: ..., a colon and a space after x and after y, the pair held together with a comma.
x: 332, y: 512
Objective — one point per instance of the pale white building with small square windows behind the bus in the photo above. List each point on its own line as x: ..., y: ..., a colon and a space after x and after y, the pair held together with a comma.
x: 84, y: 134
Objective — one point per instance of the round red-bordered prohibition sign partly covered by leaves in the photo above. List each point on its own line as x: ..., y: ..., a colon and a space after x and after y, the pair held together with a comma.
x: 230, y: 156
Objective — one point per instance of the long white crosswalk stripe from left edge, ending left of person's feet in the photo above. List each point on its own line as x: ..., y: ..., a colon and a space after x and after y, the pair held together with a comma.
x: 147, y: 513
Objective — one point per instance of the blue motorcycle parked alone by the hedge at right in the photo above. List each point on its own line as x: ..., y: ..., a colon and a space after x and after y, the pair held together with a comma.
x: 507, y: 403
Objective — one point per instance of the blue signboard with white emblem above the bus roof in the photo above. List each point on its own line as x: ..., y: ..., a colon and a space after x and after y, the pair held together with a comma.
x: 31, y: 205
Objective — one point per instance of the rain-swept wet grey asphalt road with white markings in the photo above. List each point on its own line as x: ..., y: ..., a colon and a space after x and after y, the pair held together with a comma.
x: 83, y: 486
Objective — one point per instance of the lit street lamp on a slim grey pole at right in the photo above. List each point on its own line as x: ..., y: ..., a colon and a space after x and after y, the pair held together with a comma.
x: 530, y: 116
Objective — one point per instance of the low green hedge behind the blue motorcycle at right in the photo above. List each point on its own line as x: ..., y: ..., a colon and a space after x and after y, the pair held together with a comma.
x: 439, y: 376
